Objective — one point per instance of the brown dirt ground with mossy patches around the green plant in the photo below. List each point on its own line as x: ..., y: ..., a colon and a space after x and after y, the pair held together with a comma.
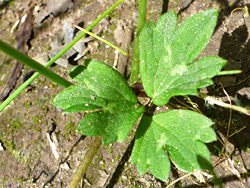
x: 30, y: 125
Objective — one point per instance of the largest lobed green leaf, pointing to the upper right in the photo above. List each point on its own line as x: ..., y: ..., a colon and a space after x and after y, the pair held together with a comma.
x: 167, y: 55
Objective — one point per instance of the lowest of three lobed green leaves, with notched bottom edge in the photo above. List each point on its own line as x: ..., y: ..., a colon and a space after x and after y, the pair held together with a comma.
x: 182, y: 133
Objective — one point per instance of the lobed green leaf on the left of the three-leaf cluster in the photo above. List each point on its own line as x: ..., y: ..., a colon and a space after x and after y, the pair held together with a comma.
x: 106, y: 93
